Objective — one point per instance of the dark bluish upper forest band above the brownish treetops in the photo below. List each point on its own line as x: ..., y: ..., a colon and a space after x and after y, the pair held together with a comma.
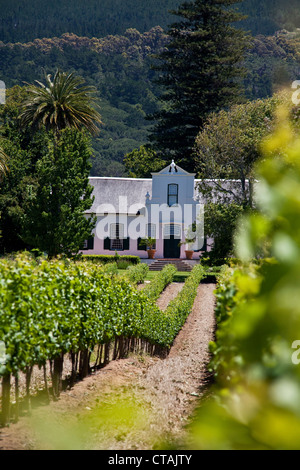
x: 23, y: 21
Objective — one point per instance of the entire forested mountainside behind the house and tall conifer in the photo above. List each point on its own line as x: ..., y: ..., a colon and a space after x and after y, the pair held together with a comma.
x: 112, y: 49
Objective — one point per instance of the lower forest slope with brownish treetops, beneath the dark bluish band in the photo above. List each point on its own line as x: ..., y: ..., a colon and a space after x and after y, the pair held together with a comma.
x: 119, y: 67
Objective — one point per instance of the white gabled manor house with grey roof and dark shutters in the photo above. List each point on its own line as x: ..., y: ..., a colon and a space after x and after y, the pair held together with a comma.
x: 166, y: 207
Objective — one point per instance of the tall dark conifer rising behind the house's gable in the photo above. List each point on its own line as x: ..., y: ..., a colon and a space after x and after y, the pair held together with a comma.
x: 200, y: 71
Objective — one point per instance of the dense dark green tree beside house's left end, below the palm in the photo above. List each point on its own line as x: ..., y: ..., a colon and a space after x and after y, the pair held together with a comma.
x: 53, y: 219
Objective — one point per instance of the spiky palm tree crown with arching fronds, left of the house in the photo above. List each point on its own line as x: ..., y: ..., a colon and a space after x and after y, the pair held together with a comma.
x: 62, y: 103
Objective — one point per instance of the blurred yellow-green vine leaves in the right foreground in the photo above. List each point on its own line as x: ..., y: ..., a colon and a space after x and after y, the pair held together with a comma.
x: 255, y: 403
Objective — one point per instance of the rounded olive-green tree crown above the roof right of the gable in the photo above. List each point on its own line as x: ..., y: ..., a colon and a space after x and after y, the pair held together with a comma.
x: 229, y: 144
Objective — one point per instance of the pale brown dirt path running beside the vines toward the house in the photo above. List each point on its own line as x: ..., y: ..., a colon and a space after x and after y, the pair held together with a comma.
x: 138, y: 403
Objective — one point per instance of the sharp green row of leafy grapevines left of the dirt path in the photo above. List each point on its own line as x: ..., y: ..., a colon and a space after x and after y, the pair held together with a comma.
x: 50, y: 309
